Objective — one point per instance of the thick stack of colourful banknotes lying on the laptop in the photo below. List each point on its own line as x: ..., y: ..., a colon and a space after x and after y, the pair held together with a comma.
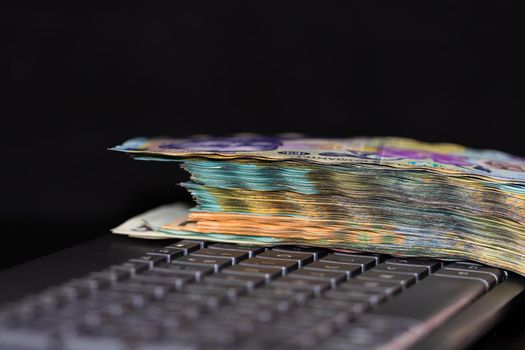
x: 386, y: 195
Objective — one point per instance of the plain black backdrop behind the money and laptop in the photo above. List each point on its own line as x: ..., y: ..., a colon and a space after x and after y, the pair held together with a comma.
x: 81, y: 77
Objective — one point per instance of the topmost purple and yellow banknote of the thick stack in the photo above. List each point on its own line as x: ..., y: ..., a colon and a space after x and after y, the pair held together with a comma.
x: 389, y: 151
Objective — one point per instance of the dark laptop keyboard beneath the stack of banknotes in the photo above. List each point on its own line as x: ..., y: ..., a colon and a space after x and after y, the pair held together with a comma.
x: 198, y: 295
